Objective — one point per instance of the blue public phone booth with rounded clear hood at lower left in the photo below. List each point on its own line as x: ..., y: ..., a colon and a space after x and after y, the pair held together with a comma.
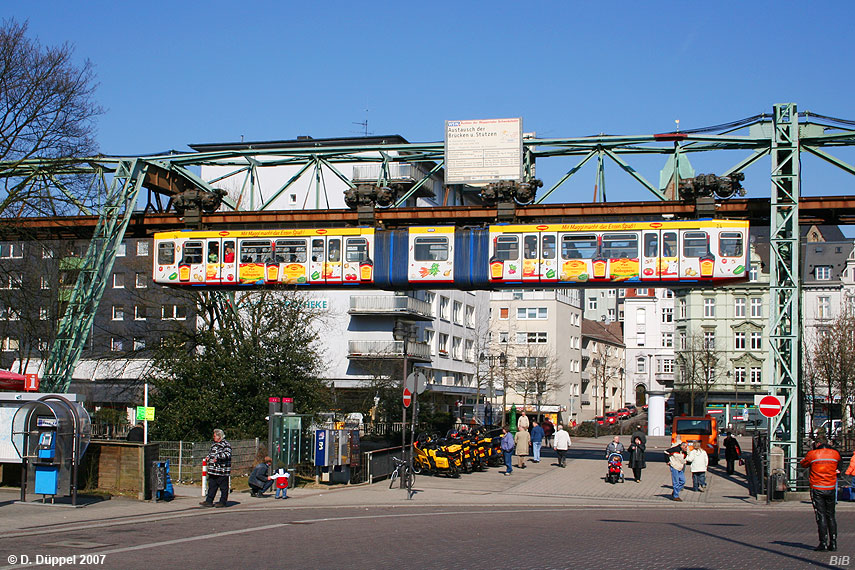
x: 51, y: 435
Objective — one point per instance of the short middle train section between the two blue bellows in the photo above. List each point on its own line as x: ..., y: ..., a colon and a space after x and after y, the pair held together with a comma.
x: 431, y: 255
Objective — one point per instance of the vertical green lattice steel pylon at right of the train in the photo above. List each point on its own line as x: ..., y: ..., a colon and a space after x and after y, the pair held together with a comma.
x: 785, y: 283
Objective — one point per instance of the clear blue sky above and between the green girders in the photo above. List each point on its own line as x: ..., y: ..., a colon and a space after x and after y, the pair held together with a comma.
x: 175, y: 73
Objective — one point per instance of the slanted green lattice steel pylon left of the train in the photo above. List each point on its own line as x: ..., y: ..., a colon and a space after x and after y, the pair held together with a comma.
x: 95, y: 270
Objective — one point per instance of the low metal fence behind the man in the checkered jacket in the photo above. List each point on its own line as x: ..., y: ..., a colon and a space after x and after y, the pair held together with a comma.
x: 185, y: 457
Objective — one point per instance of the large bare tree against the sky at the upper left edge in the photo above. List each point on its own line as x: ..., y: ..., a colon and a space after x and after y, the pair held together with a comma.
x: 47, y: 111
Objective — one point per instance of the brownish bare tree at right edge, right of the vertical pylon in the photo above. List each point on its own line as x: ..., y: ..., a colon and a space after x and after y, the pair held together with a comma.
x: 833, y: 360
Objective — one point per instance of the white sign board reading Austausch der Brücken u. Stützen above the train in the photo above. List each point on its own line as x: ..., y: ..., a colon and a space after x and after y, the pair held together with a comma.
x: 483, y: 151
